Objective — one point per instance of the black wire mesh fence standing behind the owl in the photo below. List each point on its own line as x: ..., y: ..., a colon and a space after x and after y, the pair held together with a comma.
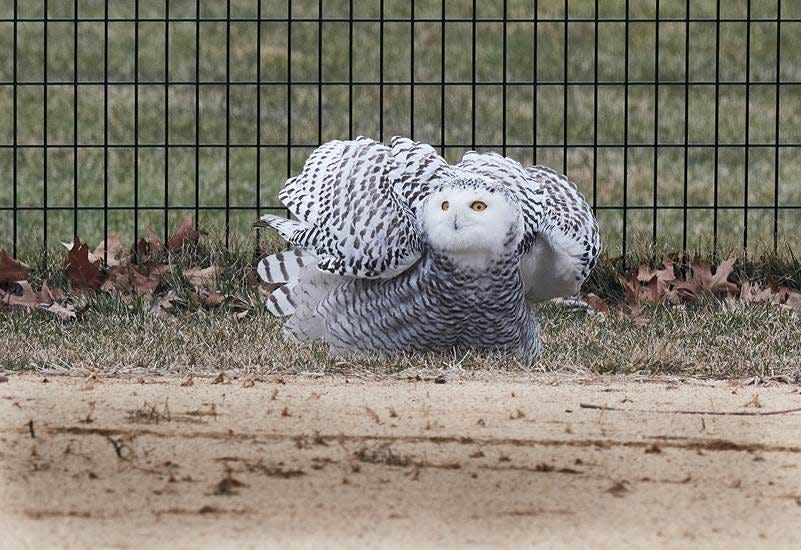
x: 679, y: 120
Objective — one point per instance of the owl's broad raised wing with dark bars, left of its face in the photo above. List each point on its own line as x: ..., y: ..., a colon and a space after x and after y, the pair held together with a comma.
x: 355, y: 204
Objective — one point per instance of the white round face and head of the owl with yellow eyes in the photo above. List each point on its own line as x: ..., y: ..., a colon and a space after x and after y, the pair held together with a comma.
x: 472, y: 221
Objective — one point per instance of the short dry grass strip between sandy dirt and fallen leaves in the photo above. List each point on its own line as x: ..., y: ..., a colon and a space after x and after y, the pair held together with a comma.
x: 700, y: 341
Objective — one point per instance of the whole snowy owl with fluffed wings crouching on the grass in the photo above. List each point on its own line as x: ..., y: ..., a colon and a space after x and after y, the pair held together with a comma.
x: 395, y: 250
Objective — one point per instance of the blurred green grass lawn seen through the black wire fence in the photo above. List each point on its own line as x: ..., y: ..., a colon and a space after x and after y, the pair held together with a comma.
x: 521, y: 129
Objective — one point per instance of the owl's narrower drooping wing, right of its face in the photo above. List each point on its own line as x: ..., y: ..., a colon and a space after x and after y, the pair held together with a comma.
x: 561, y: 240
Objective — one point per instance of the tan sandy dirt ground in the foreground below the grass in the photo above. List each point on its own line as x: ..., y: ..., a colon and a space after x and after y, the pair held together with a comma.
x: 301, y: 462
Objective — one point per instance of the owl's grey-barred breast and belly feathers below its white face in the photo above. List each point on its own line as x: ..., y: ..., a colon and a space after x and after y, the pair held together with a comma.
x: 434, y: 306
